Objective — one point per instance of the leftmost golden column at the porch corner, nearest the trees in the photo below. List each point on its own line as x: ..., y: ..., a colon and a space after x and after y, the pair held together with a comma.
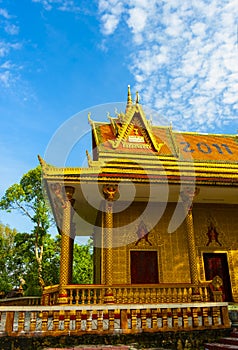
x: 66, y: 245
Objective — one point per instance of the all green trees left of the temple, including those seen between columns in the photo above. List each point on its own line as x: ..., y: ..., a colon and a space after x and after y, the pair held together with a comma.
x: 35, y: 256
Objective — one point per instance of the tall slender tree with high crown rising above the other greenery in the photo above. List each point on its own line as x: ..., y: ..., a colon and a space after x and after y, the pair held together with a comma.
x: 27, y: 198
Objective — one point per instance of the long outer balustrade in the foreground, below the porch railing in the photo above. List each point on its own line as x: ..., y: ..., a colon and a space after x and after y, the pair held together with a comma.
x: 56, y: 320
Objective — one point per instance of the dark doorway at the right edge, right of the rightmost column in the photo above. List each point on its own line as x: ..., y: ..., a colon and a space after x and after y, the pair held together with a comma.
x: 216, y: 264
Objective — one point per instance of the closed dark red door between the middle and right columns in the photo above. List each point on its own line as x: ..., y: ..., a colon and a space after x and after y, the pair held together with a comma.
x: 144, y: 267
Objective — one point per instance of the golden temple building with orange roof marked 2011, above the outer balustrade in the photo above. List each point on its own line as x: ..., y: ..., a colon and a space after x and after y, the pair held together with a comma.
x: 161, y: 206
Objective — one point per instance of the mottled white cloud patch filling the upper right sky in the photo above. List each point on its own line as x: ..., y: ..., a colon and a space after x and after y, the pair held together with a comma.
x: 184, y: 57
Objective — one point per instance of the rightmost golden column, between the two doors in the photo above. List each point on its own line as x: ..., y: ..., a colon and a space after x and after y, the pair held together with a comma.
x: 187, y: 197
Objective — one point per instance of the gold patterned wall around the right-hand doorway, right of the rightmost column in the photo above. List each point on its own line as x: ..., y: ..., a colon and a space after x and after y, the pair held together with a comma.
x: 225, y: 221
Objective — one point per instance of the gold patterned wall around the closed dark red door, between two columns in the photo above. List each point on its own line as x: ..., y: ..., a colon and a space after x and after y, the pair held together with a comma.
x: 173, y: 265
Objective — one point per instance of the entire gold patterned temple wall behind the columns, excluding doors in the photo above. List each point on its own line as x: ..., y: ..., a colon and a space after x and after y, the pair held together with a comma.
x: 171, y: 248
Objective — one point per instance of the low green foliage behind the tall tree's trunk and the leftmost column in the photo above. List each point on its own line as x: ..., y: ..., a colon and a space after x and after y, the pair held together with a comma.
x: 17, y: 263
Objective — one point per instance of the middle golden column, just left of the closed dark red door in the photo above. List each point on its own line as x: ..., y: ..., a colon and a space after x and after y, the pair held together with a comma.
x: 109, y: 192
